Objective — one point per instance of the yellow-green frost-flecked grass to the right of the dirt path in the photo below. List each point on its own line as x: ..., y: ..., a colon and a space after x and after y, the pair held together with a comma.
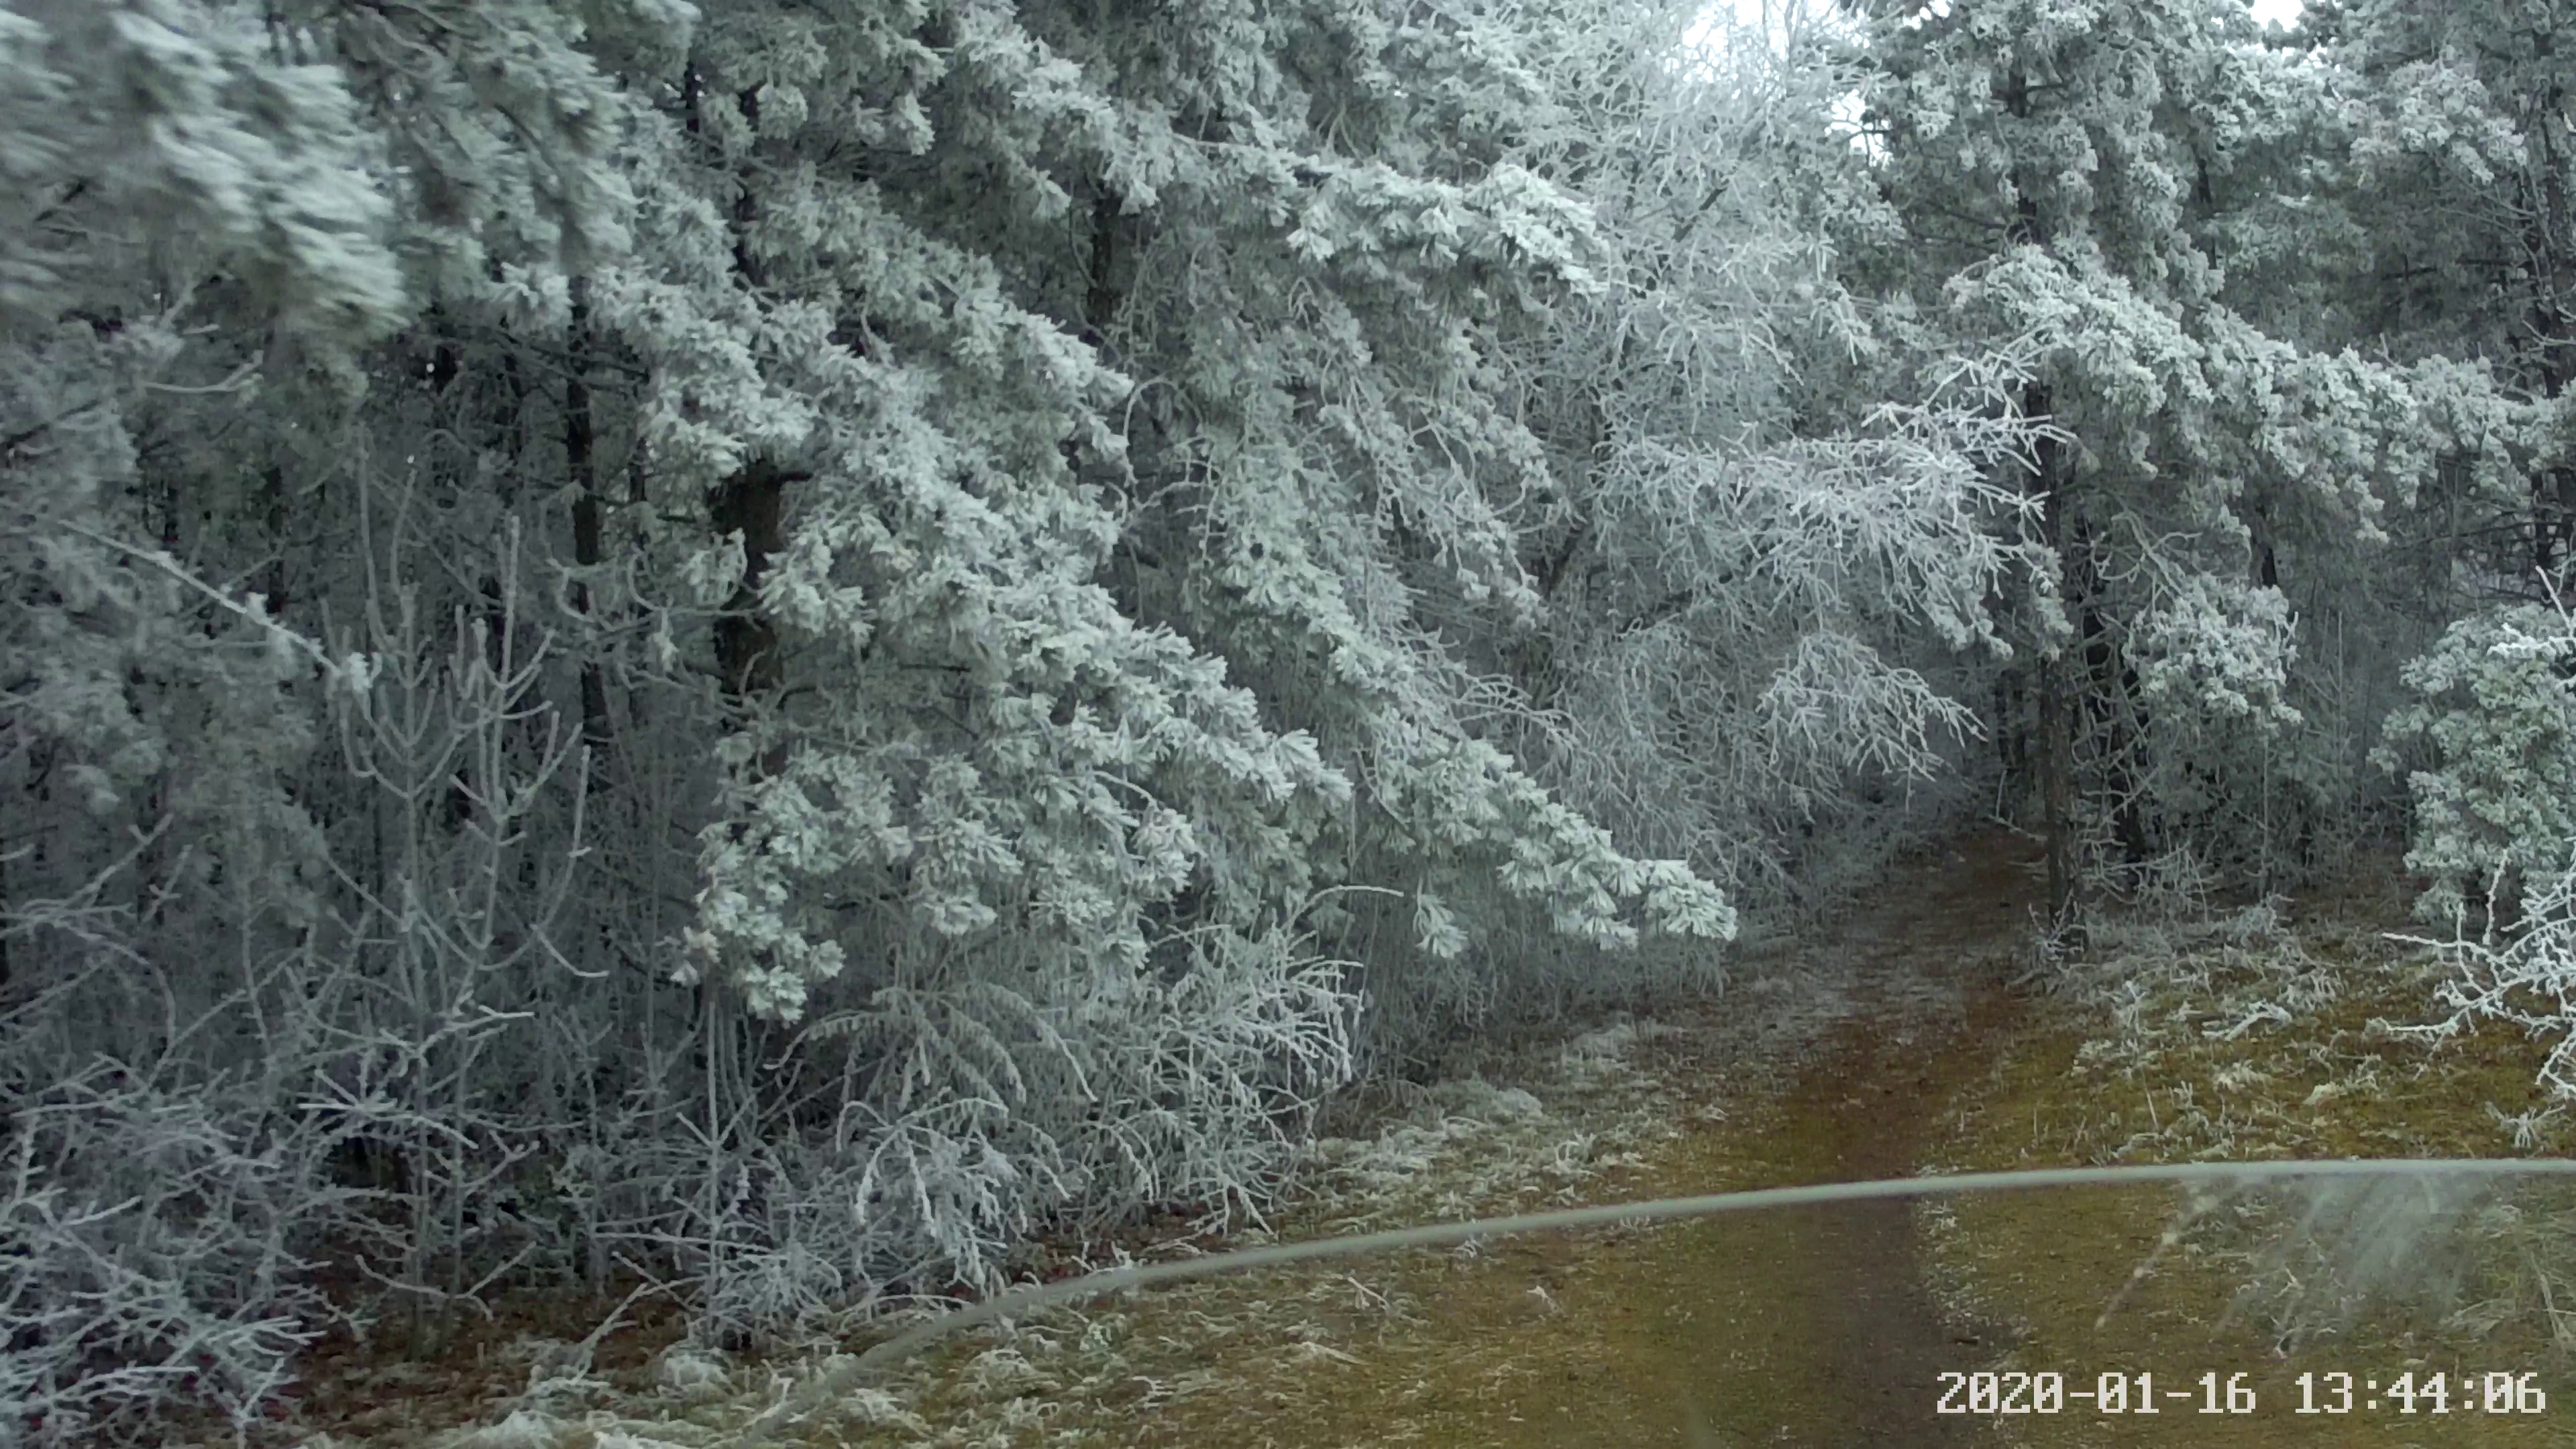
x: 2165, y: 1051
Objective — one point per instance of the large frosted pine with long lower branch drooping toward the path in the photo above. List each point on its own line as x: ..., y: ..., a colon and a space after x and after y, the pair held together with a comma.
x: 1112, y: 385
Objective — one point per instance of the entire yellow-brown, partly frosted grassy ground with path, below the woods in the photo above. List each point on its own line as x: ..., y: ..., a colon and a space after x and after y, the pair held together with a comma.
x: 1884, y: 1051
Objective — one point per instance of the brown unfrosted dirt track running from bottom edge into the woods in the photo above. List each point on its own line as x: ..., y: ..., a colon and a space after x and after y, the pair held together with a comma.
x: 1768, y: 1329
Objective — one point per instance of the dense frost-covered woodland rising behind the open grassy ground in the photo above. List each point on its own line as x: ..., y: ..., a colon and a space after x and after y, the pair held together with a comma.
x: 772, y: 646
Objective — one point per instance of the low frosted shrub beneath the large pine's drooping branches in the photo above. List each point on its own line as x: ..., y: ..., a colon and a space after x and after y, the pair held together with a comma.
x: 1148, y: 1089
